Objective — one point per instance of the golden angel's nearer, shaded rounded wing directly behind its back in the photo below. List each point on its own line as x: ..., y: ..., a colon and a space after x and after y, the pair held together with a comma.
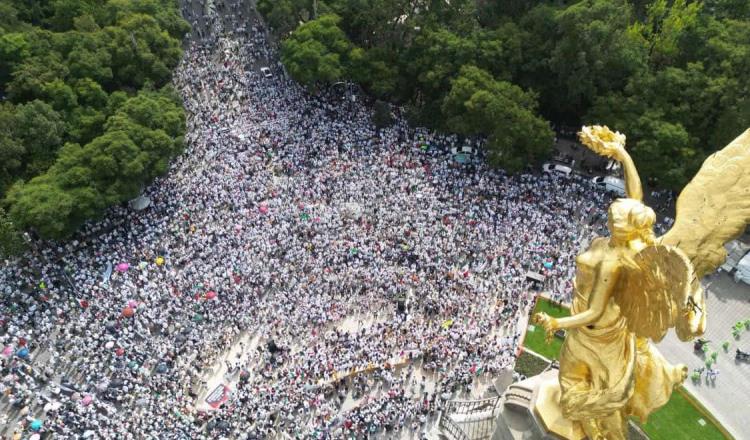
x: 653, y: 290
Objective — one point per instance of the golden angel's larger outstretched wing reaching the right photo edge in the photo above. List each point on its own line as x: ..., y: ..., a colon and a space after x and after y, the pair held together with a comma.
x: 714, y: 208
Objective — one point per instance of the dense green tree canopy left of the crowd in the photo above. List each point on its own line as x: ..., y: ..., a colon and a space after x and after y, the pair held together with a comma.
x: 88, y: 117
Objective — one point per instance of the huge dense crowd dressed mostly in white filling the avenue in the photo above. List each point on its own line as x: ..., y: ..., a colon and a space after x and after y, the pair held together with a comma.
x: 288, y: 214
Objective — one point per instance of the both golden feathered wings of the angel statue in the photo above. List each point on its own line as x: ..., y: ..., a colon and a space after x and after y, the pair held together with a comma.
x: 660, y: 287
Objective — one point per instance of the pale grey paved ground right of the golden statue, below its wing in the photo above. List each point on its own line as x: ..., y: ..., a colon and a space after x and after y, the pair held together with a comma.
x: 729, y: 398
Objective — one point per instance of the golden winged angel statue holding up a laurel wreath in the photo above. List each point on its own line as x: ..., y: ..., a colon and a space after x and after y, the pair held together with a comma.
x: 632, y: 287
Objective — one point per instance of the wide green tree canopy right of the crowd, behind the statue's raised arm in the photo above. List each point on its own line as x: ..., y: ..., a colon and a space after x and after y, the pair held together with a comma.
x: 671, y: 74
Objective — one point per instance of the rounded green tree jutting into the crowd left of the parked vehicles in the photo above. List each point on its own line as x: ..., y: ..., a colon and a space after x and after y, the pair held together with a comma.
x: 477, y: 104
